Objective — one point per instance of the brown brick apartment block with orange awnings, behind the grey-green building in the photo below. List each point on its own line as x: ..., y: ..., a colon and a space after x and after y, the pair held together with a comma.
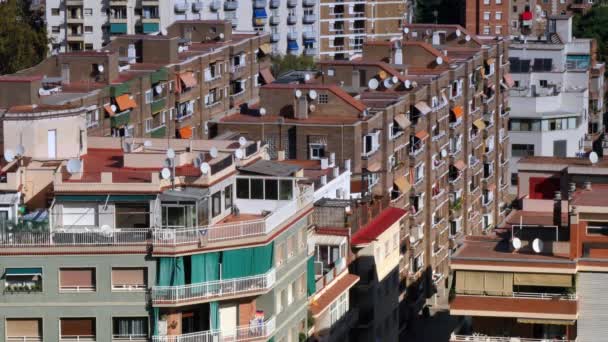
x: 151, y: 86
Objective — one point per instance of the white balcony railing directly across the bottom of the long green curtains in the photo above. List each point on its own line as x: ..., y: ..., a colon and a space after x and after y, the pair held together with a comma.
x: 213, y: 289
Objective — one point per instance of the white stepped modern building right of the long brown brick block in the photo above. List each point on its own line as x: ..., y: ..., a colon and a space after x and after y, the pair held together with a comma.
x: 556, y: 104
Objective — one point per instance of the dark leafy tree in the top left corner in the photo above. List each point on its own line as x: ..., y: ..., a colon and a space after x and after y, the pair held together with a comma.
x: 23, y: 39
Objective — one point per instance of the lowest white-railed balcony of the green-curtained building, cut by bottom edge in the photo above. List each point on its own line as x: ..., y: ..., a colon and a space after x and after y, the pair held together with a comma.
x: 241, y: 333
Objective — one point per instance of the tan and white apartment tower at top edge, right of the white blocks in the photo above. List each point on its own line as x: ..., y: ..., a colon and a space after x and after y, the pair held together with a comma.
x: 344, y: 26
